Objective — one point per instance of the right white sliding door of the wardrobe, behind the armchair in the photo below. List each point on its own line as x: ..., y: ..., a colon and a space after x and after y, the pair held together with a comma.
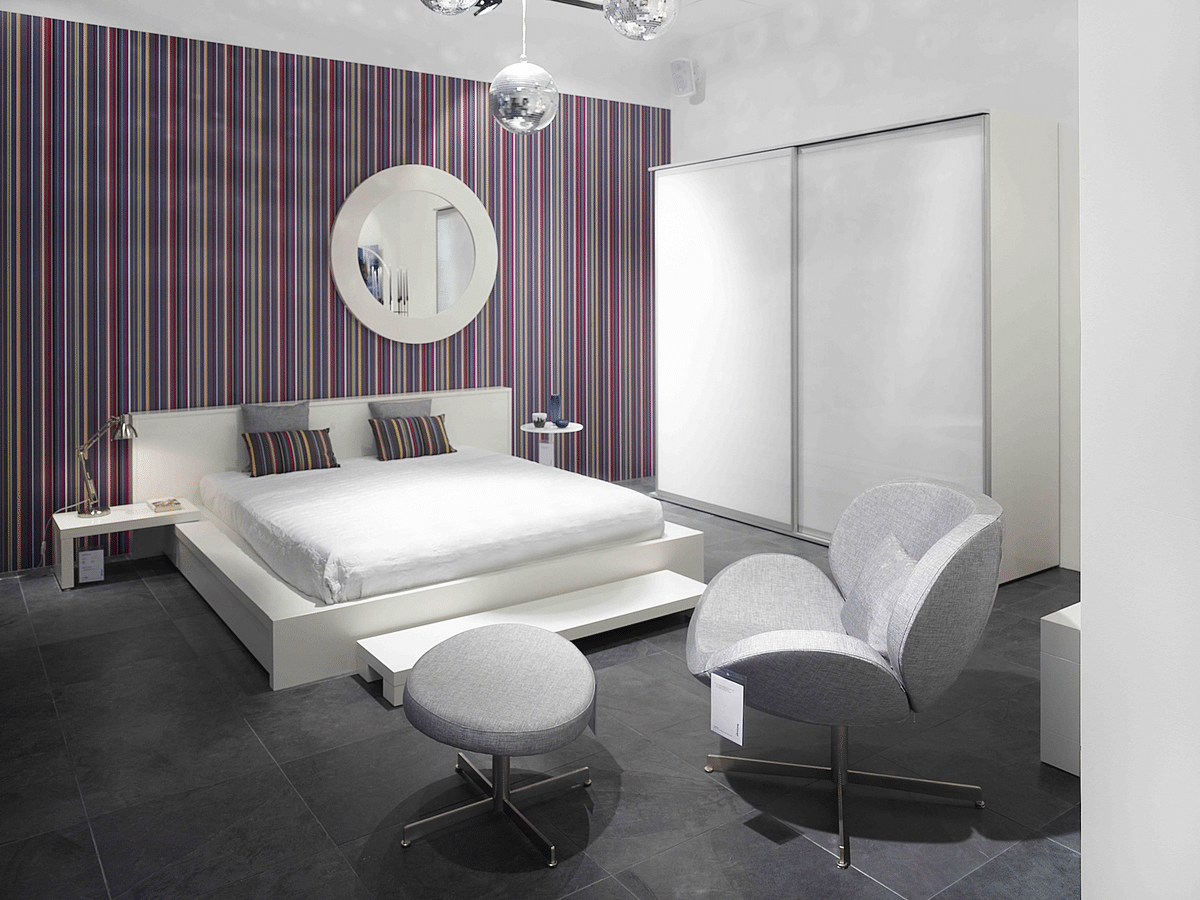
x: 892, y: 315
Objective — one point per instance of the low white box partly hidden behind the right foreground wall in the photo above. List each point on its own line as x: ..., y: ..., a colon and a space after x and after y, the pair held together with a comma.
x: 1060, y: 689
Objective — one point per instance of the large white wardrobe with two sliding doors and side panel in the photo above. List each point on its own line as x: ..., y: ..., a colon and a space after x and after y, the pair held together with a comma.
x: 851, y: 311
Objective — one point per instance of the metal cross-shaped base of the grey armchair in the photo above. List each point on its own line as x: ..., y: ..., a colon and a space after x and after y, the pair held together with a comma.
x: 842, y: 776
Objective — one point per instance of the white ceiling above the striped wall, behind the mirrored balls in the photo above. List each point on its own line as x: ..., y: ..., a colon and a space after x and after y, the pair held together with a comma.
x: 575, y: 45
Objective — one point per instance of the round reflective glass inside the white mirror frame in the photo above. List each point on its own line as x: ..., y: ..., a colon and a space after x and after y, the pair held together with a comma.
x: 416, y: 254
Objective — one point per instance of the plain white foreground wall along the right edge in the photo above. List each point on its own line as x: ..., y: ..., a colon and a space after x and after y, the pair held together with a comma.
x: 1141, y: 233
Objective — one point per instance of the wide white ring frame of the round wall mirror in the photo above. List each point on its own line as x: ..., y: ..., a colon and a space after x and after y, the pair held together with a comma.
x: 344, y: 254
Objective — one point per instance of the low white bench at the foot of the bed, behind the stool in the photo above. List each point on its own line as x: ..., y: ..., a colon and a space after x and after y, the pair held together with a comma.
x: 574, y: 615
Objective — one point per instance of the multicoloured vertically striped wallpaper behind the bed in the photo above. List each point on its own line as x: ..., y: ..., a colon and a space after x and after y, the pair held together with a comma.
x: 166, y: 218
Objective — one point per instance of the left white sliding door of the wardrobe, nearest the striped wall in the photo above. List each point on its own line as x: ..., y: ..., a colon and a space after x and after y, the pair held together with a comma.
x: 724, y: 243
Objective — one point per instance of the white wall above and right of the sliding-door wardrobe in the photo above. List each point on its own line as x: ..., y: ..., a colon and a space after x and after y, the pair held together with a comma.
x: 823, y: 69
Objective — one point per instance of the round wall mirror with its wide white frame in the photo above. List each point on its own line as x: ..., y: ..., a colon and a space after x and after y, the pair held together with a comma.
x: 413, y: 254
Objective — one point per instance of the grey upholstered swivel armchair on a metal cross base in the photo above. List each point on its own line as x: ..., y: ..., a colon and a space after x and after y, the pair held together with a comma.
x: 915, y: 573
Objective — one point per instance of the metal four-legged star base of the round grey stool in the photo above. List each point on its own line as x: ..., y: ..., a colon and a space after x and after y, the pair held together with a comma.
x: 500, y: 799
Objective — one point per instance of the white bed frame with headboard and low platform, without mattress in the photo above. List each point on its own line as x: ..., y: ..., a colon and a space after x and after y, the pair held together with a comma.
x: 299, y: 640
